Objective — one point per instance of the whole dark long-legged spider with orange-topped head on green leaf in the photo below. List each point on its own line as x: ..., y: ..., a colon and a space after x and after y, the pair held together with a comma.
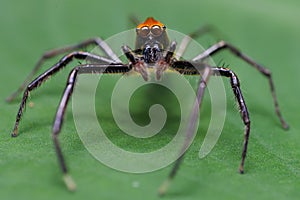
x: 153, y: 50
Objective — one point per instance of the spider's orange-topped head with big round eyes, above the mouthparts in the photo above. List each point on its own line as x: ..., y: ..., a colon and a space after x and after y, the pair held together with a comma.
x: 151, y: 33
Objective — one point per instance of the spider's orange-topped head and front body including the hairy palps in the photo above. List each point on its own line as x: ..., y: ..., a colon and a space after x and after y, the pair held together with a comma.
x: 152, y: 48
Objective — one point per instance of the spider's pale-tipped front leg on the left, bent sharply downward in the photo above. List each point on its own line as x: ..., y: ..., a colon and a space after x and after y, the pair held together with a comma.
x: 87, y: 69
